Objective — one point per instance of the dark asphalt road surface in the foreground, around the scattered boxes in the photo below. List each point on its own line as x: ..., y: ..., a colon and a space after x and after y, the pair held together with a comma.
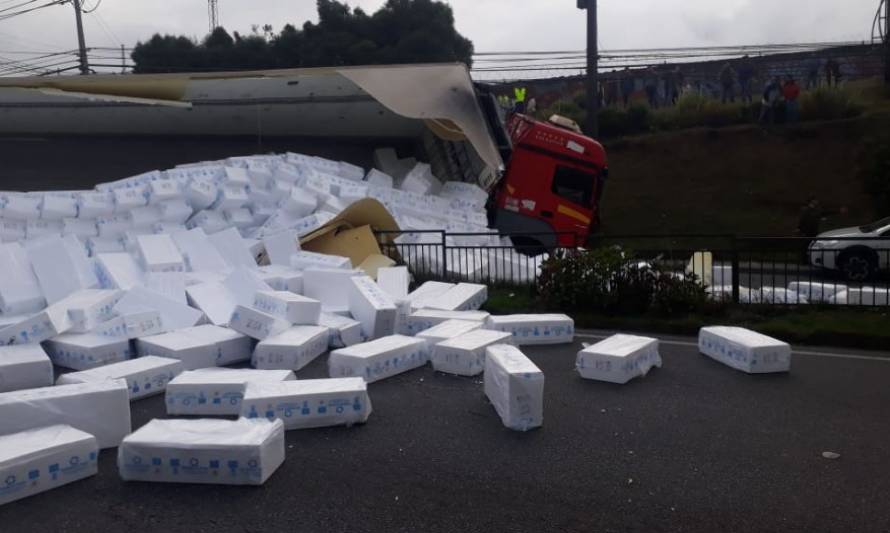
x: 695, y: 446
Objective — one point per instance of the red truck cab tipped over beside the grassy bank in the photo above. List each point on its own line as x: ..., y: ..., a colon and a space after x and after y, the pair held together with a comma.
x: 553, y: 183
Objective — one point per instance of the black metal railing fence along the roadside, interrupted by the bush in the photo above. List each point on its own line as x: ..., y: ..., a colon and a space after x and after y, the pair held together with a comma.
x: 846, y: 271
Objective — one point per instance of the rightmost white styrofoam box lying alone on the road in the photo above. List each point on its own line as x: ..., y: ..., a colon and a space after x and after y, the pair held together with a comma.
x: 745, y: 350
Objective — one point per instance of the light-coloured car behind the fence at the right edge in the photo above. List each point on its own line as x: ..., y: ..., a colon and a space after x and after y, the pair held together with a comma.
x: 859, y: 253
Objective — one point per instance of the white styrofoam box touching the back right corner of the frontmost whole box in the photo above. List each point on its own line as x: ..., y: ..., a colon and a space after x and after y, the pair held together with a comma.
x: 309, y: 403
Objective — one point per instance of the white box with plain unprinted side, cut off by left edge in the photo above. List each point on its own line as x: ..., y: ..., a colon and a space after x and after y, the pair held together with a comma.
x: 101, y: 409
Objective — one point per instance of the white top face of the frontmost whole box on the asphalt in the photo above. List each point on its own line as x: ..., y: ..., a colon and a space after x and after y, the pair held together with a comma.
x: 204, y: 433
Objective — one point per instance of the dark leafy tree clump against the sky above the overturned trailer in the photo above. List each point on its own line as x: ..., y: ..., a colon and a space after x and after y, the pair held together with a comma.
x: 402, y: 31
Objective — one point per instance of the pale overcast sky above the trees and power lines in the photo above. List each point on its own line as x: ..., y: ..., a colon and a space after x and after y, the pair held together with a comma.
x: 494, y: 25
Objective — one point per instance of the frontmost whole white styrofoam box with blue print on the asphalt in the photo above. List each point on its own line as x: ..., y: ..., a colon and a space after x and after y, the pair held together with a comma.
x: 217, y: 452
